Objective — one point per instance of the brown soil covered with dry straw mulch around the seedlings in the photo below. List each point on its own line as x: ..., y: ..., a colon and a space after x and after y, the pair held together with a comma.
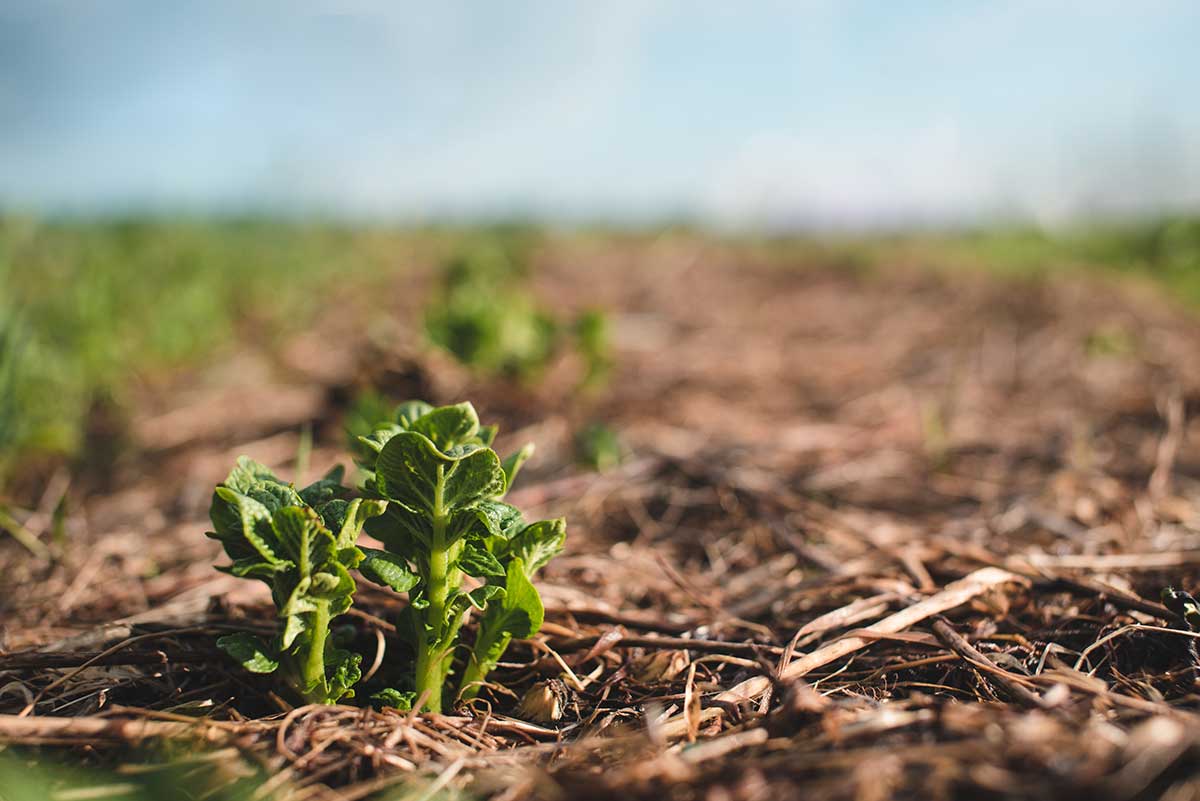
x: 817, y: 455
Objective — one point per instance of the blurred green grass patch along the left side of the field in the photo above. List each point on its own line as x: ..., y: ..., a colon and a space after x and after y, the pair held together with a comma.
x: 91, y: 311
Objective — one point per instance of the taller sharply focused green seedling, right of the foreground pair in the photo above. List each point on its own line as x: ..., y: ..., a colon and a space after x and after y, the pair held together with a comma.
x: 447, y: 521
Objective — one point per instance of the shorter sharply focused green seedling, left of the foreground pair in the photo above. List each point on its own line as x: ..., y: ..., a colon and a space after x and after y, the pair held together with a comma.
x: 301, y: 544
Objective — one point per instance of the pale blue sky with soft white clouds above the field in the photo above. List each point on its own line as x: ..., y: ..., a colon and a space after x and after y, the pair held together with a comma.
x: 807, y: 113
